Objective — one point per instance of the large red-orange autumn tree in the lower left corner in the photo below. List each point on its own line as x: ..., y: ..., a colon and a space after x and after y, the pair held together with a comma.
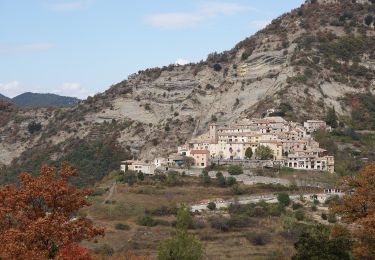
x: 37, y: 218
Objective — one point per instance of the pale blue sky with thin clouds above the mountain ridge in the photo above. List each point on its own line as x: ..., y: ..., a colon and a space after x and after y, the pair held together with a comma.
x: 82, y: 47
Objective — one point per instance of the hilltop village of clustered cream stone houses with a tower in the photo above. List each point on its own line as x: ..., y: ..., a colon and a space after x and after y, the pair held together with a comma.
x: 270, y: 141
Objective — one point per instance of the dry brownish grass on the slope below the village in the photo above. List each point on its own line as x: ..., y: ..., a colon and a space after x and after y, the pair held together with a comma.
x: 130, y: 202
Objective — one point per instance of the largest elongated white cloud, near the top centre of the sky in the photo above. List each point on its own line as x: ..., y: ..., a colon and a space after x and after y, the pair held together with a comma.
x: 180, y: 20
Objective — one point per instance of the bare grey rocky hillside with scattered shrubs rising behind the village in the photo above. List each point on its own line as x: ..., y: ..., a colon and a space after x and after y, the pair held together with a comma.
x: 316, y: 57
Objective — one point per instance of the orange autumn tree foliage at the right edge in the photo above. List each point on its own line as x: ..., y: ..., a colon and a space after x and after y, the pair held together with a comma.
x: 358, y: 208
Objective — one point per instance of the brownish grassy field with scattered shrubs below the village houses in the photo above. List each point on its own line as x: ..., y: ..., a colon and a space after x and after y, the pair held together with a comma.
x: 129, y: 203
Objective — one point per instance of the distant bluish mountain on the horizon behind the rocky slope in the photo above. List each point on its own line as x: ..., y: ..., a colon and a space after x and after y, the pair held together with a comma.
x: 29, y: 99
